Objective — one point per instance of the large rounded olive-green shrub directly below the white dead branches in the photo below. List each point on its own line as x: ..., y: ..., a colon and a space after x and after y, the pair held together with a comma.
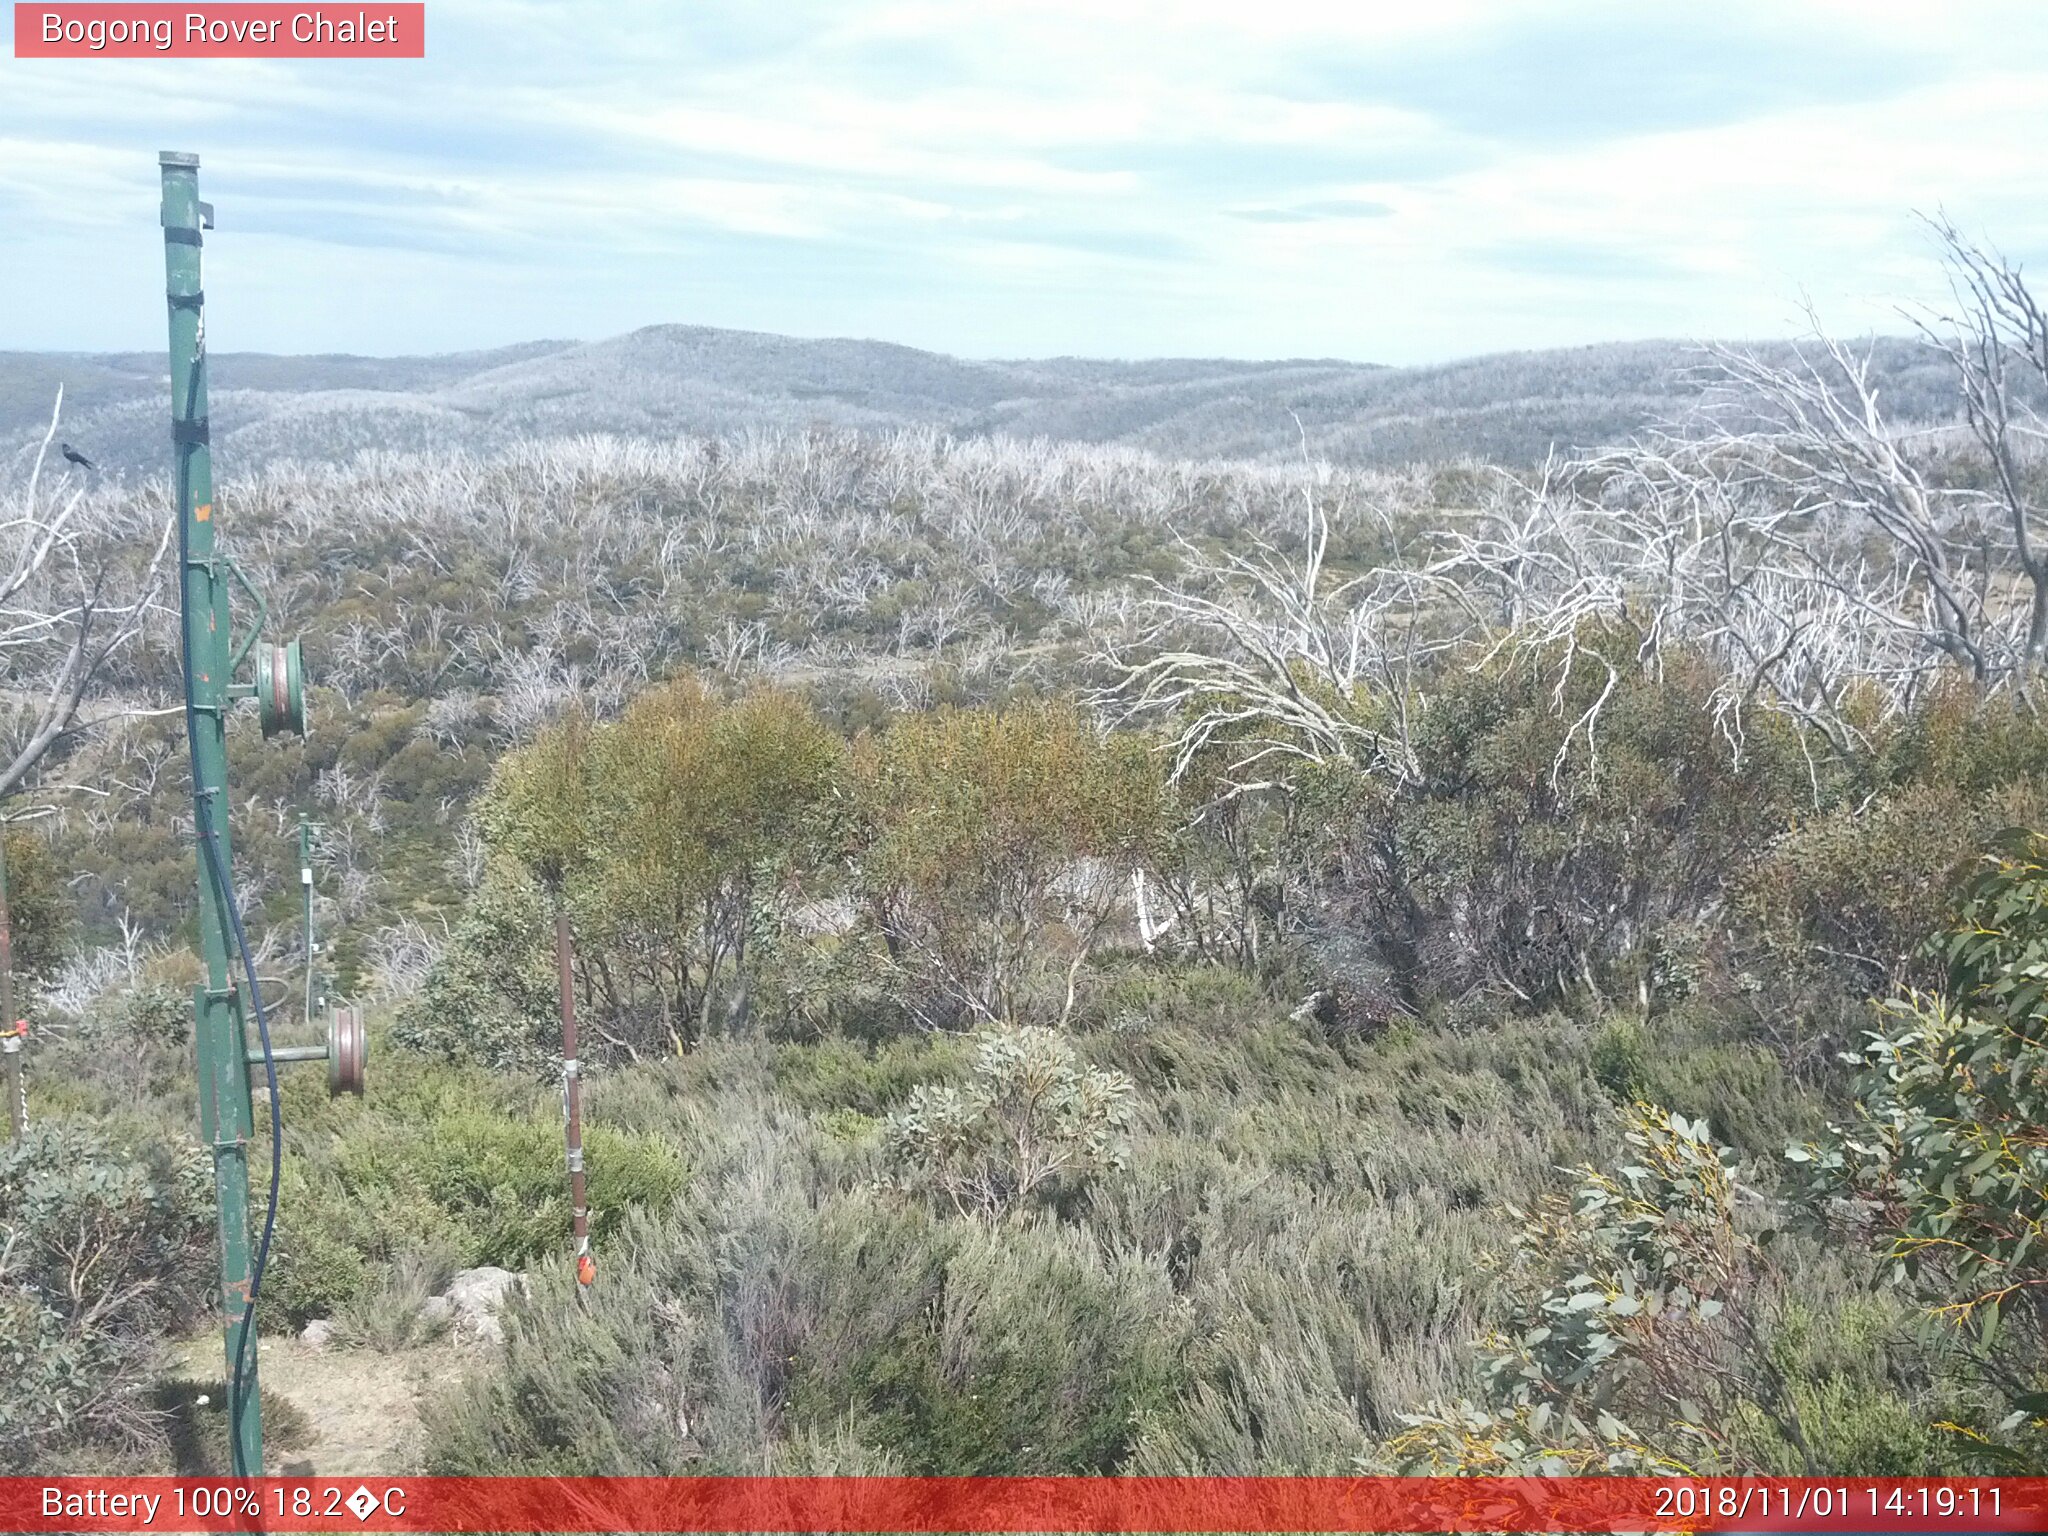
x: 1555, y: 826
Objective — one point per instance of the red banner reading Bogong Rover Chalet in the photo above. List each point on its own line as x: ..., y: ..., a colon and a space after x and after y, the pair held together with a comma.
x: 220, y: 32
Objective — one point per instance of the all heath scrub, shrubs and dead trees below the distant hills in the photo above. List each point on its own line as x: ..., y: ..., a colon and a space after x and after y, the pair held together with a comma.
x: 1105, y: 964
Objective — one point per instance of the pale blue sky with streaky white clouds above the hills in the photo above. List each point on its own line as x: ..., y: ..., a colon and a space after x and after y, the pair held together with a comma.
x: 1365, y: 179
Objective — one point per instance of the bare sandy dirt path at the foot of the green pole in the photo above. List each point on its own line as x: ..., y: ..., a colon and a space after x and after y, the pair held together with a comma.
x: 361, y: 1406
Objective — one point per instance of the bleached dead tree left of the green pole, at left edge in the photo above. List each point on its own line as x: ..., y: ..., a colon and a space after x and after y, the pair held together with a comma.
x: 73, y: 593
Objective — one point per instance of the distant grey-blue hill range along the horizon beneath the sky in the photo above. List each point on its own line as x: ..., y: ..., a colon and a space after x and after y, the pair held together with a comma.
x: 679, y: 380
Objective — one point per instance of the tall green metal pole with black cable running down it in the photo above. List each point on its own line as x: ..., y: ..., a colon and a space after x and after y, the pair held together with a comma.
x: 226, y: 1113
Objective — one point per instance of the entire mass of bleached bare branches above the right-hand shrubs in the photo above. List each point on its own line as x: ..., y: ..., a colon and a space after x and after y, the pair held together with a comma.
x: 1828, y: 558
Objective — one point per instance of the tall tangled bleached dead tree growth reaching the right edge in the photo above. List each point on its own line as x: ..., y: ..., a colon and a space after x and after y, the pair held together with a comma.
x: 1799, y: 534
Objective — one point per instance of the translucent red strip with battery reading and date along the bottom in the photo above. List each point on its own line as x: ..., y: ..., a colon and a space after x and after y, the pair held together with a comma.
x: 1023, y: 1504
